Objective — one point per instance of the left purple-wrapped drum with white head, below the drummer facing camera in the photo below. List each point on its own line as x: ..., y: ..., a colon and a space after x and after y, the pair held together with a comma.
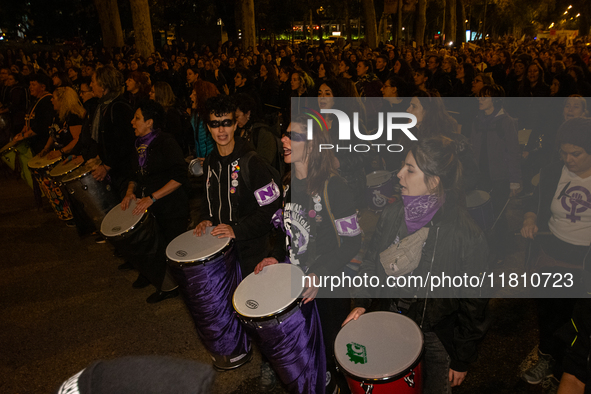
x: 208, y: 272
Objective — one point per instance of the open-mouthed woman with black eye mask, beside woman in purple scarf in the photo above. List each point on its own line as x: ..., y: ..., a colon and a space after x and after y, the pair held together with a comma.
x: 322, y: 230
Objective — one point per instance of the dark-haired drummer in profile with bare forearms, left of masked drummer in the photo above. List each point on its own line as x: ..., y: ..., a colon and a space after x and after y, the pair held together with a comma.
x: 157, y: 185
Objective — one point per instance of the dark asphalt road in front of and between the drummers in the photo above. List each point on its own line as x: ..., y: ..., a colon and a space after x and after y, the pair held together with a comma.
x: 64, y: 304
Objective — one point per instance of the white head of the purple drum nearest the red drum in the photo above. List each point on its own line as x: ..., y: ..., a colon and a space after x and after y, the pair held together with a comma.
x: 269, y: 292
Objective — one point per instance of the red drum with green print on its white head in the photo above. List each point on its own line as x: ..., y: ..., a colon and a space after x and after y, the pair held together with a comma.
x: 381, y: 353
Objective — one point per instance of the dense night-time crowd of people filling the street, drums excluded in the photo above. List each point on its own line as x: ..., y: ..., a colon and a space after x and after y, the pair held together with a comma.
x: 488, y: 118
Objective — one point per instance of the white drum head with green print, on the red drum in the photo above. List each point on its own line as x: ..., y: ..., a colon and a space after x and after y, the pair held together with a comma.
x: 378, y: 346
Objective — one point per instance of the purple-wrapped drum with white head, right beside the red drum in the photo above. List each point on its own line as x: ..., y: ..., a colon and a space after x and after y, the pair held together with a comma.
x: 286, y: 331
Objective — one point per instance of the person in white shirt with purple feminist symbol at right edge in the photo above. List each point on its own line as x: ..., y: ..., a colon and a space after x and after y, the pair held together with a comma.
x: 560, y: 210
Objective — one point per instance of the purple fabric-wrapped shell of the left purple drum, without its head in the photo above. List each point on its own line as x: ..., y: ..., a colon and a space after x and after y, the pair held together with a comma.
x: 207, y: 288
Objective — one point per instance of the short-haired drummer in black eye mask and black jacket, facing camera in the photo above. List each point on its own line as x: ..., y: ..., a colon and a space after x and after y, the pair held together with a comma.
x: 241, y: 195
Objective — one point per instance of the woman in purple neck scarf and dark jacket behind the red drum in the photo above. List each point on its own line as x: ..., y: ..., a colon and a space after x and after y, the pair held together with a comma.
x: 442, y: 237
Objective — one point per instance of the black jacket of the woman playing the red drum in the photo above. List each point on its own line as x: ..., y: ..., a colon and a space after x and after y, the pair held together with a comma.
x: 455, y: 246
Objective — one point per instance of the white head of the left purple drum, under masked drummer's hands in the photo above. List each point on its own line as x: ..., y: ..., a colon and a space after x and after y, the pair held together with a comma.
x: 188, y: 247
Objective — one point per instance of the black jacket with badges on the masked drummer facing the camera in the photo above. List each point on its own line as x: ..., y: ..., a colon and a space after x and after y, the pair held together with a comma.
x: 249, y: 209
